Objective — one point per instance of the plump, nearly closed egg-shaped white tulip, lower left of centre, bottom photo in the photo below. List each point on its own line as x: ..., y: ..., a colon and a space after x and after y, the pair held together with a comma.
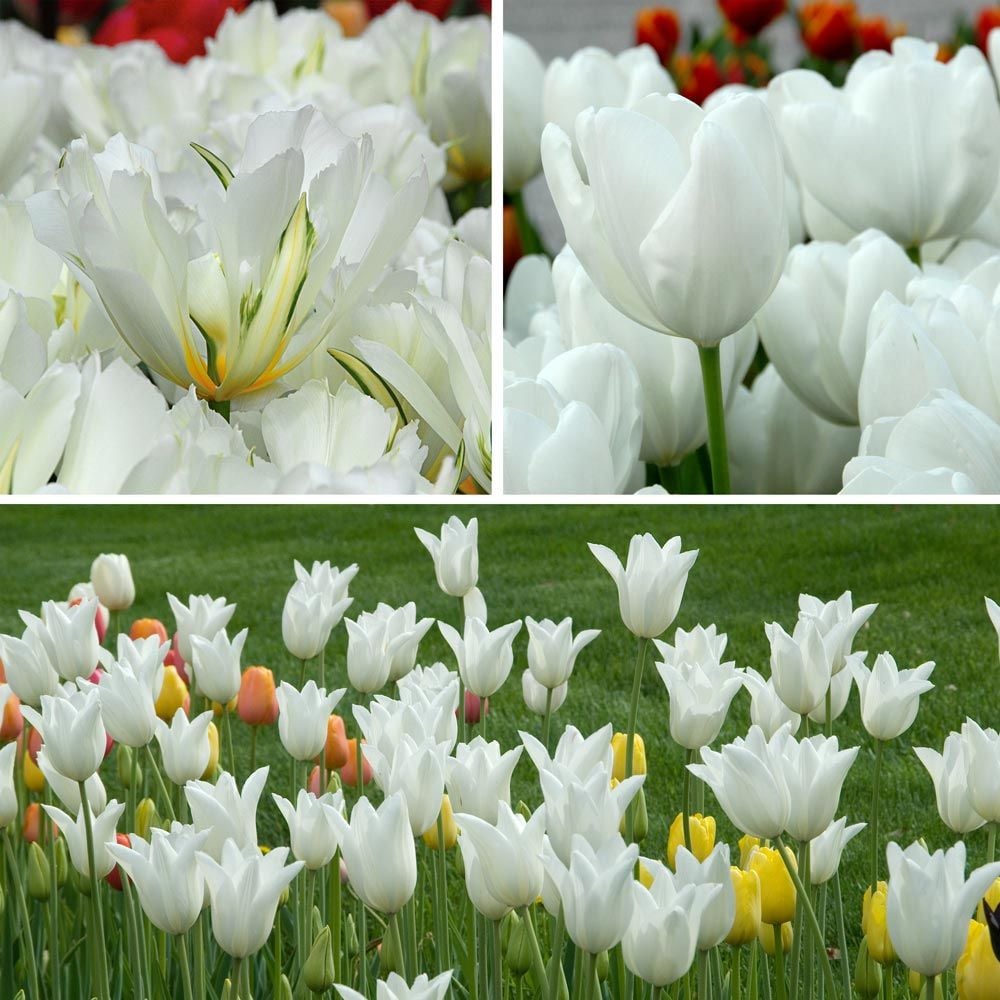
x: 379, y: 852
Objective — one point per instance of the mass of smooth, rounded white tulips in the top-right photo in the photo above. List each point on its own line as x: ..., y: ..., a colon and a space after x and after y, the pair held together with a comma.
x: 810, y: 267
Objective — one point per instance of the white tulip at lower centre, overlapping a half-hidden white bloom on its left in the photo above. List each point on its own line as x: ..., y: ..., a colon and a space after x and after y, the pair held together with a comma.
x: 509, y: 853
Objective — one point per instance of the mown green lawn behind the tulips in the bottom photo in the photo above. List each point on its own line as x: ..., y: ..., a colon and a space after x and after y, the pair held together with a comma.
x: 928, y: 567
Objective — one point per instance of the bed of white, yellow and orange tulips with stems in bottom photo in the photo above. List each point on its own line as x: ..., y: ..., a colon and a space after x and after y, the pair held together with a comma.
x: 566, y: 888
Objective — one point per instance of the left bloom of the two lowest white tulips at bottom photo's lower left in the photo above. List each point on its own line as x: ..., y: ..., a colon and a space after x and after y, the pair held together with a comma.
x: 169, y: 882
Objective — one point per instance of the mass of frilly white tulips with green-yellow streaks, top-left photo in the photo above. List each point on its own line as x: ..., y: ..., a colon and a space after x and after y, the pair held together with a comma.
x: 265, y: 270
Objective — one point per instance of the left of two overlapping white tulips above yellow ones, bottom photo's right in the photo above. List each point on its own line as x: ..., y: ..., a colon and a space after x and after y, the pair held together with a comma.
x: 748, y: 779
